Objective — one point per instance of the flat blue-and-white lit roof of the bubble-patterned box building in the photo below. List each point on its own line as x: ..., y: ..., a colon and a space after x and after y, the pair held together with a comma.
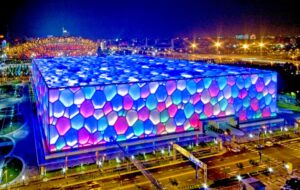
x: 85, y: 71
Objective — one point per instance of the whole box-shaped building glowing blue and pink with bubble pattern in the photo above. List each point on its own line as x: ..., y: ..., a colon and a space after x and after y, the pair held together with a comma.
x: 85, y: 103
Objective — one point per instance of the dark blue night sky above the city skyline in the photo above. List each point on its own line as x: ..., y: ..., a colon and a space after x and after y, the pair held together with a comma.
x: 148, y: 18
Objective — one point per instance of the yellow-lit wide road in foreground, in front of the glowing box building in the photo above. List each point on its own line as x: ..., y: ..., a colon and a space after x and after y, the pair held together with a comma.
x: 184, y: 174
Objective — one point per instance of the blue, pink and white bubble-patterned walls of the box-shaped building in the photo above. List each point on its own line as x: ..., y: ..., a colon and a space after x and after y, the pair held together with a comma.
x: 83, y: 116
